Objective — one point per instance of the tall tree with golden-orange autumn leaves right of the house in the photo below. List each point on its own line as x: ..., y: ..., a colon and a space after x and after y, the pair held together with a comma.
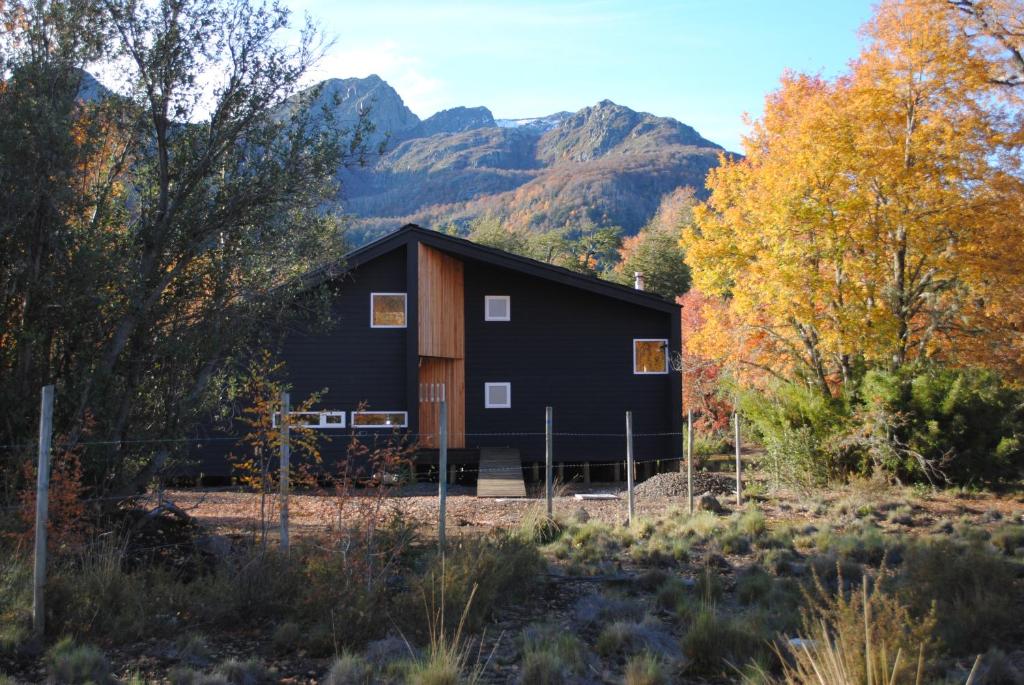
x: 876, y: 219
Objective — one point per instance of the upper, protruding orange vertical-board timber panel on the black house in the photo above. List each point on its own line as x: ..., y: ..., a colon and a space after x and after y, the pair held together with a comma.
x: 442, y: 326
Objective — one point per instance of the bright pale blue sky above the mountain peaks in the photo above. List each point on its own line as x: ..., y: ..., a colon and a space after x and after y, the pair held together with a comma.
x: 703, y: 62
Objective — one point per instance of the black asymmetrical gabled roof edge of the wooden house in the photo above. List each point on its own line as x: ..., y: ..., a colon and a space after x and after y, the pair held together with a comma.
x: 463, y: 248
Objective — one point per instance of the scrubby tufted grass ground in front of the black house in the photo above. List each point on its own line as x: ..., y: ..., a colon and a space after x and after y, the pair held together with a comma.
x: 776, y: 591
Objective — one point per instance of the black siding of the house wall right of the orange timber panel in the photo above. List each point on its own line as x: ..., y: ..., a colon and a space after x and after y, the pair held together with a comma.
x: 571, y: 350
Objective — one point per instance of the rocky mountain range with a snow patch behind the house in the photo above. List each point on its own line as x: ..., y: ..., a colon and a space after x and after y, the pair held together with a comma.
x: 606, y: 164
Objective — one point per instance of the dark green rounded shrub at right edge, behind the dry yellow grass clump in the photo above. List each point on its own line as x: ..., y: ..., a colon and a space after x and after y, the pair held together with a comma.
x: 971, y: 589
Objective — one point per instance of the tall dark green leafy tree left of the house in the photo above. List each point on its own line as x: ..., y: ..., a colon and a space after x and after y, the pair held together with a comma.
x: 151, y: 239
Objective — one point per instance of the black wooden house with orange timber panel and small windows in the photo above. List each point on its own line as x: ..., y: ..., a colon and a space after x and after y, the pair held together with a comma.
x: 507, y: 336
